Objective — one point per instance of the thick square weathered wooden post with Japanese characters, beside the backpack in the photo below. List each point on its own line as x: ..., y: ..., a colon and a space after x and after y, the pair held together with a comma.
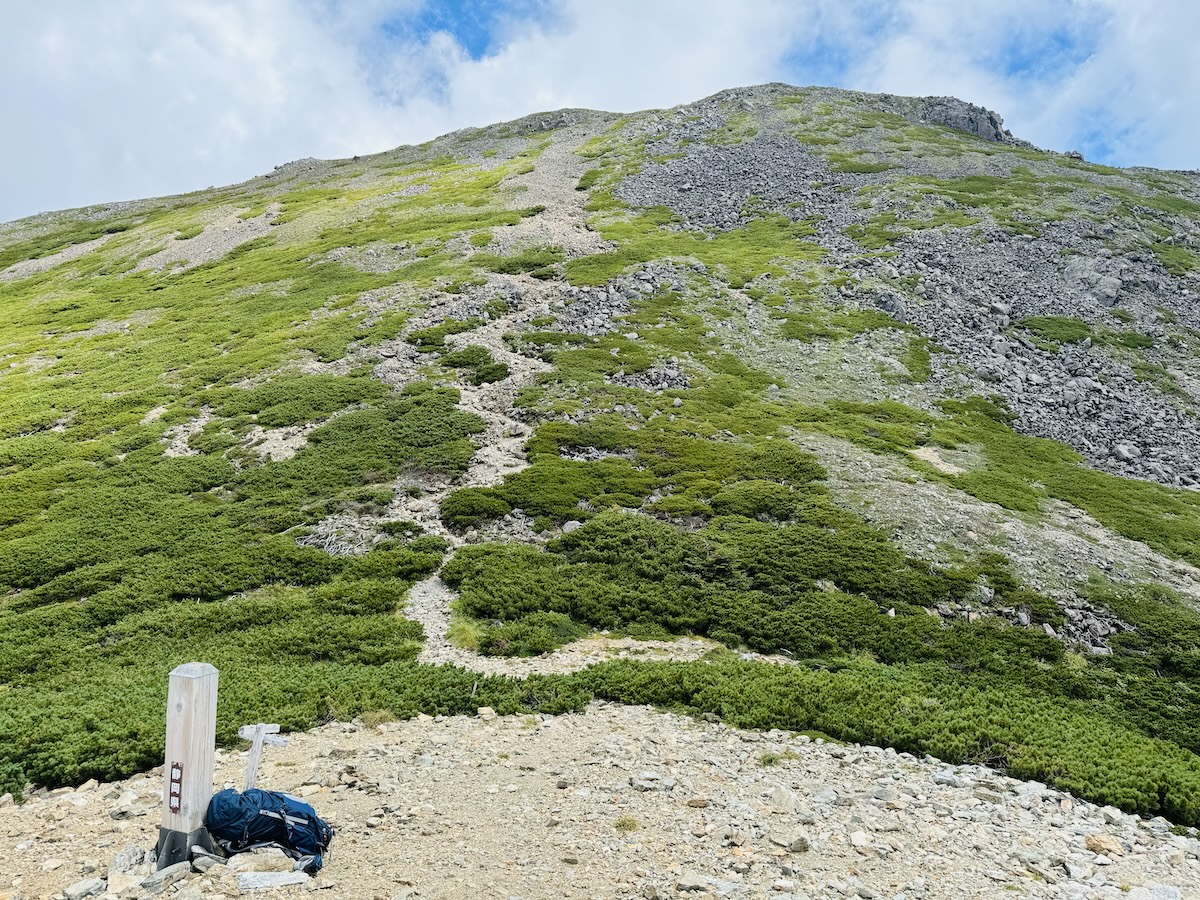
x: 188, y: 777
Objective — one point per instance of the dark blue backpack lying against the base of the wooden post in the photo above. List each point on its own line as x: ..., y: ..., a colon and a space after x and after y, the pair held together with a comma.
x: 269, y: 819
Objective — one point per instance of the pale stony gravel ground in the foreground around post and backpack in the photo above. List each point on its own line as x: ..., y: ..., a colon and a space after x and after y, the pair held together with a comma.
x: 625, y: 802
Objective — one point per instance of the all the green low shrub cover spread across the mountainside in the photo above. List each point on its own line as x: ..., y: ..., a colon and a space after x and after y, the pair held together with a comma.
x: 700, y: 517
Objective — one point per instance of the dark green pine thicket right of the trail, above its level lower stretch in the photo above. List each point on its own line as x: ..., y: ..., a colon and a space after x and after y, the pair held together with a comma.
x: 823, y: 587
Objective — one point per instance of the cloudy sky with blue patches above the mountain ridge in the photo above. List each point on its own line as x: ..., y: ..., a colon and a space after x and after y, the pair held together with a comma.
x: 125, y: 99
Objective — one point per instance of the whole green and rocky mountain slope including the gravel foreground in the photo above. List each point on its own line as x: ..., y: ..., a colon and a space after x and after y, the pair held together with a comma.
x: 793, y: 494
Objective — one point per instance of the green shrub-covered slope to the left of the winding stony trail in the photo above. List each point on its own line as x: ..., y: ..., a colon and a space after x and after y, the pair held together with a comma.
x: 121, y: 562
